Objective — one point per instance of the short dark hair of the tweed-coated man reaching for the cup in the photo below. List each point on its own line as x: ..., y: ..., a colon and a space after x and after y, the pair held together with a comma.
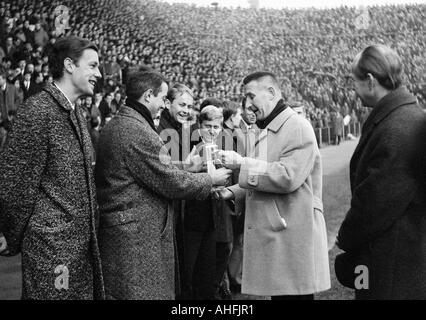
x: 139, y: 81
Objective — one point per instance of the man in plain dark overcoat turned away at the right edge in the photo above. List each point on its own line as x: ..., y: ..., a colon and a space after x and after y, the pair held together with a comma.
x: 385, y: 228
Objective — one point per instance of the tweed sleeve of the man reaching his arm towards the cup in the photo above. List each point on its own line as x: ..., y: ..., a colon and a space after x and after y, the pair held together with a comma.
x: 151, y: 167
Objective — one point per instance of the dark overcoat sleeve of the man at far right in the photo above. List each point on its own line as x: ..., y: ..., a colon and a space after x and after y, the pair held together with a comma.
x: 387, y: 189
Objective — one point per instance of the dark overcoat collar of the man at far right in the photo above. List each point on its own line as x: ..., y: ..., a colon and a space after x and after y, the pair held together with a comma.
x: 389, y: 103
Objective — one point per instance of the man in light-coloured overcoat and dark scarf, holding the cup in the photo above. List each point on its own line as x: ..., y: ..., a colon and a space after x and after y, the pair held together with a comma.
x: 285, y: 238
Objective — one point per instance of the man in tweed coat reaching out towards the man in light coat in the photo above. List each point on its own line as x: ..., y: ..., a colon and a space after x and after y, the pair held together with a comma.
x: 136, y: 184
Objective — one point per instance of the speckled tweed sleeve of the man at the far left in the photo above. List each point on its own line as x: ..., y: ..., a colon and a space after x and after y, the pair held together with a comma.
x: 21, y: 166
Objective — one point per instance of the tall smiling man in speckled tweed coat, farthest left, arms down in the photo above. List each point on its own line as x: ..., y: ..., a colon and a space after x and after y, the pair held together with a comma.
x: 47, y: 190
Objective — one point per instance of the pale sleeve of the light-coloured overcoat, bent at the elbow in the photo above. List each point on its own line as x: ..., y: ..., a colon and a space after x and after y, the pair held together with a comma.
x: 290, y: 171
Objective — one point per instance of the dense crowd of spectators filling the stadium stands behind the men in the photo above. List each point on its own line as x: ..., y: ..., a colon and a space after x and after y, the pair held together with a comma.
x: 212, y: 49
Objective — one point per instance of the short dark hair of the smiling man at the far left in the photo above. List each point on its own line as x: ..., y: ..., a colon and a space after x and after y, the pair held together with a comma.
x: 67, y: 47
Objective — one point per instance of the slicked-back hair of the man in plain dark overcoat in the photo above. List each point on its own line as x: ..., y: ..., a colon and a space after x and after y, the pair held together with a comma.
x: 382, y: 63
